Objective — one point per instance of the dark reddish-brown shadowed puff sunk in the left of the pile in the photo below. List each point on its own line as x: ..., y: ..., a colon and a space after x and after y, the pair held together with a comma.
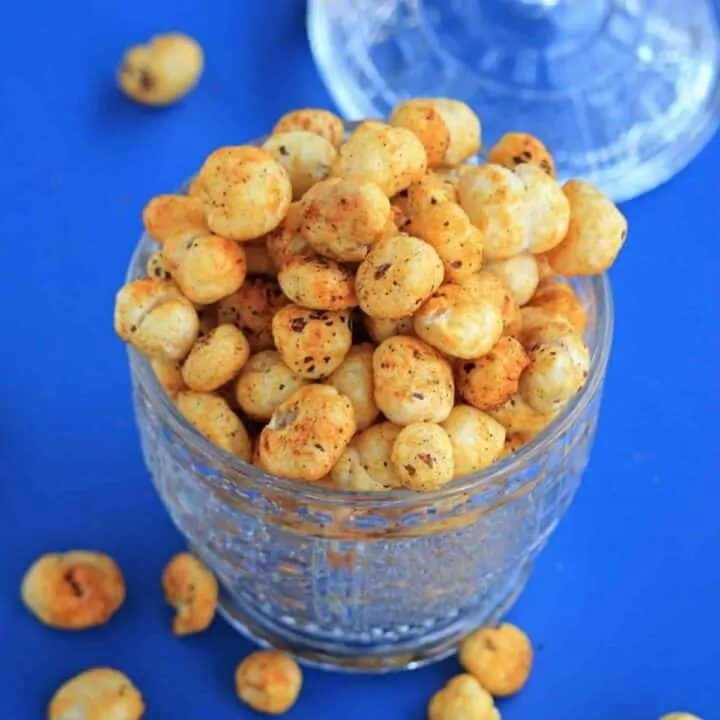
x: 251, y: 309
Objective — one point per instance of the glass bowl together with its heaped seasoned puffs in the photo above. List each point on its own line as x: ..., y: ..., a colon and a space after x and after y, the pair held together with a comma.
x: 379, y: 339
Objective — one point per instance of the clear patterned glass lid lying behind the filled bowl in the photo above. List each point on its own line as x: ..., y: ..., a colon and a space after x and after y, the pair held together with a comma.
x: 624, y: 92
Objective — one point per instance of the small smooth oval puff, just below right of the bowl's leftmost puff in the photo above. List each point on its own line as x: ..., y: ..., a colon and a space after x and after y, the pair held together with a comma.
x: 215, y: 359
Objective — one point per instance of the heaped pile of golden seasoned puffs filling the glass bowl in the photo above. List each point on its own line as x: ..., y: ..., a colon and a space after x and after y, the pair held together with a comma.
x: 371, y: 312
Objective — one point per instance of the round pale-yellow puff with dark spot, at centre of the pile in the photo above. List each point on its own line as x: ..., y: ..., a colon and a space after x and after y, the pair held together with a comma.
x: 397, y: 276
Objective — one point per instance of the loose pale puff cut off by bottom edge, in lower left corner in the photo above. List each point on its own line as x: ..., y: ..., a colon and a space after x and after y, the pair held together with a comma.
x: 97, y: 694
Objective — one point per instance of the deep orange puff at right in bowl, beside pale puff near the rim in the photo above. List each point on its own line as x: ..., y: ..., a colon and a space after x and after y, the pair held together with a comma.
x: 490, y: 381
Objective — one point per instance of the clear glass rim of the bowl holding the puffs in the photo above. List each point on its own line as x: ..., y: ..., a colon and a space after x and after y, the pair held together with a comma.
x: 306, y: 492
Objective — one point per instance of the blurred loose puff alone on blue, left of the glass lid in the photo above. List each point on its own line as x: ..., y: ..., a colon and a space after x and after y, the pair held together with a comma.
x: 161, y: 72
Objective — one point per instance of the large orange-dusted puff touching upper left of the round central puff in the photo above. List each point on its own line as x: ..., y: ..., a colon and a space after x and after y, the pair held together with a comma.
x: 341, y: 218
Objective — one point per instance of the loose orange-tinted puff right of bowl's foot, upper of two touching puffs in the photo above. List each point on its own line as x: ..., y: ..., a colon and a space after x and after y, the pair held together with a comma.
x: 499, y: 658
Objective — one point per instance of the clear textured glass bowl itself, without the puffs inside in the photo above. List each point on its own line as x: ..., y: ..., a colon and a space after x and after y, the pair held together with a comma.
x: 368, y: 582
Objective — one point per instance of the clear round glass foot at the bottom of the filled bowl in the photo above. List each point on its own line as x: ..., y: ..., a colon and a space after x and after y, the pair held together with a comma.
x: 344, y: 658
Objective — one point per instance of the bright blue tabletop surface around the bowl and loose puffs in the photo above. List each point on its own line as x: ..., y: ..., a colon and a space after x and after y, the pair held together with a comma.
x: 623, y: 603
